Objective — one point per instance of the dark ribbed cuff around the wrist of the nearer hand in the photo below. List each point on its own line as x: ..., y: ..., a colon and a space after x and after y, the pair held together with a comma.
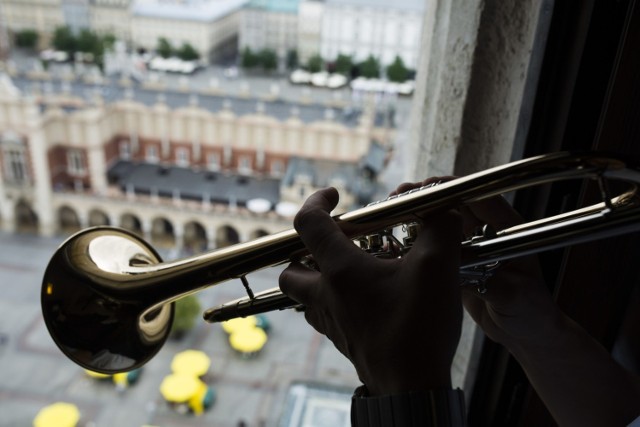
x: 432, y: 408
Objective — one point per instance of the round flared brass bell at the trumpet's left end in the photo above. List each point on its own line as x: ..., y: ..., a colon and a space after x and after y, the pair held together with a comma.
x: 108, y: 333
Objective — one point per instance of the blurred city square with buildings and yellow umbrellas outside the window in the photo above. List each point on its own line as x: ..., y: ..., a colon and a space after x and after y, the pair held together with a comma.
x: 196, y: 124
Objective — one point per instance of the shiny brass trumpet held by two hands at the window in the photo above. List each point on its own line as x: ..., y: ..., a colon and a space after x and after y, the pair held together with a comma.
x: 107, y: 296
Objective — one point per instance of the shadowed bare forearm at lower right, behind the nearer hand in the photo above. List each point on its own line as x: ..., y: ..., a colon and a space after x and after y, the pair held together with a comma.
x: 576, y: 377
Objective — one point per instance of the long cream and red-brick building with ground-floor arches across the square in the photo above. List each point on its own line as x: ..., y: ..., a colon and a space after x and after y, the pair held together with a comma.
x: 62, y: 168
